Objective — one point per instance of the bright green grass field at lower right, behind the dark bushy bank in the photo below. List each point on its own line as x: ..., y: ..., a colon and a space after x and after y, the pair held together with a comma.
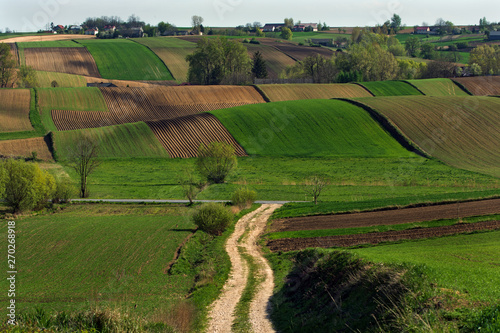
x: 467, y: 263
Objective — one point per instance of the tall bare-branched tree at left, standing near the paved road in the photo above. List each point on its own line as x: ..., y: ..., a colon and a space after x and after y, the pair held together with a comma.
x: 83, y: 158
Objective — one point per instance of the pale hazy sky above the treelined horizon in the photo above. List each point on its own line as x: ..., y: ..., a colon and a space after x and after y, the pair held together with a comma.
x: 32, y: 15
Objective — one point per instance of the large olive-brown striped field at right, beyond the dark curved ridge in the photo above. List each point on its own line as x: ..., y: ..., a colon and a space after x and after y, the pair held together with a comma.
x: 460, y: 131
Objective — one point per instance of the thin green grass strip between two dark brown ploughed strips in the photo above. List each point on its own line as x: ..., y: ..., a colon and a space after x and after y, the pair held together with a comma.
x: 380, y: 228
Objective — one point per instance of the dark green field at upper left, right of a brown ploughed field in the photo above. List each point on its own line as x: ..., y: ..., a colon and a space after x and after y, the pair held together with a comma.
x: 125, y: 60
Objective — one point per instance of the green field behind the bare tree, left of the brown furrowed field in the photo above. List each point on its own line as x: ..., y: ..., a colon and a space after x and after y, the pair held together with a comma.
x: 120, y: 141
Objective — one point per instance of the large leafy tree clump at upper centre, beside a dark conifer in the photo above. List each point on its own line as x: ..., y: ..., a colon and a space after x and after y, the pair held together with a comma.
x: 217, y: 61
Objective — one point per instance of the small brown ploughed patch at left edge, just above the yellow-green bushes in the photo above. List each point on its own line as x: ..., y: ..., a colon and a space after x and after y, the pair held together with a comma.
x: 24, y: 148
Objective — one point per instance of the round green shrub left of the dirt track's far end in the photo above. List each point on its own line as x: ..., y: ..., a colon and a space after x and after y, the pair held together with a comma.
x: 213, y: 218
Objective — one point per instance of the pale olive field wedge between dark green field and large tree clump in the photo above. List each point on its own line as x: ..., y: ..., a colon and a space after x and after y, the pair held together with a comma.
x: 172, y: 51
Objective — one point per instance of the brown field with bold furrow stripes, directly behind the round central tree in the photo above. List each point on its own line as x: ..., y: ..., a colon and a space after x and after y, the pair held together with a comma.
x: 182, y: 136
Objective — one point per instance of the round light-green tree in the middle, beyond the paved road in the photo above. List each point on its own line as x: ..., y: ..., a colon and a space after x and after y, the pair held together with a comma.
x: 215, y: 161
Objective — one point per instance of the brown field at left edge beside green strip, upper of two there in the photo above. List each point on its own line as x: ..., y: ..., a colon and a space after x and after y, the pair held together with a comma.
x: 15, y: 110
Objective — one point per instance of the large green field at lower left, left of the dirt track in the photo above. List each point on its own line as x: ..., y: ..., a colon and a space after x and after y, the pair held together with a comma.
x: 114, y: 256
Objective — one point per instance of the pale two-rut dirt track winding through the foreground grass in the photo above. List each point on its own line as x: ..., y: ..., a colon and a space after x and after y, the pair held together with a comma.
x: 246, y: 233
